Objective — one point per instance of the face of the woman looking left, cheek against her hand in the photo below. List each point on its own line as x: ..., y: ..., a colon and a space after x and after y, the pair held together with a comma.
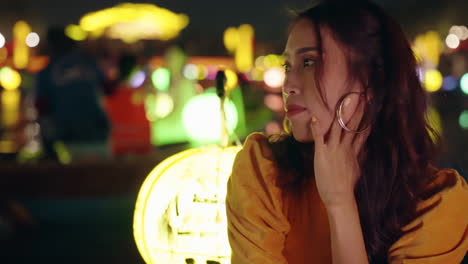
x: 300, y: 92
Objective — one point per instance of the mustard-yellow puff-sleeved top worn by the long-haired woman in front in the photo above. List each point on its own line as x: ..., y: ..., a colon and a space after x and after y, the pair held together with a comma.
x: 265, y: 226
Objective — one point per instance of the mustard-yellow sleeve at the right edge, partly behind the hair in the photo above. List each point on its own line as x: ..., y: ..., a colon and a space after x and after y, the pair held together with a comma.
x: 443, y: 236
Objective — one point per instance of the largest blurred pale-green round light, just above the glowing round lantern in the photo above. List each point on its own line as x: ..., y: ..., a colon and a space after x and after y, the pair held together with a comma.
x: 201, y: 118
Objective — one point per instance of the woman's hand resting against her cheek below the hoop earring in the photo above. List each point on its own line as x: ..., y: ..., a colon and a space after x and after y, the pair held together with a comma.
x: 336, y: 164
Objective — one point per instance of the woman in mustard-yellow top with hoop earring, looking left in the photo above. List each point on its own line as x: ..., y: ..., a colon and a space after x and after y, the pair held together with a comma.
x: 351, y: 180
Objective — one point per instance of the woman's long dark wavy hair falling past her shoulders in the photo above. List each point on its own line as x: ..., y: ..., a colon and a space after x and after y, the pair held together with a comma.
x: 396, y: 159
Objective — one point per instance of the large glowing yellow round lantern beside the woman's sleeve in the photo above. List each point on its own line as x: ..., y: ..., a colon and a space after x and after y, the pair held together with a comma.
x: 180, y: 212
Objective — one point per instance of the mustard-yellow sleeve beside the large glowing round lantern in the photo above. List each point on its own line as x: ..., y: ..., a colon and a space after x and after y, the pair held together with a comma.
x: 256, y: 224
